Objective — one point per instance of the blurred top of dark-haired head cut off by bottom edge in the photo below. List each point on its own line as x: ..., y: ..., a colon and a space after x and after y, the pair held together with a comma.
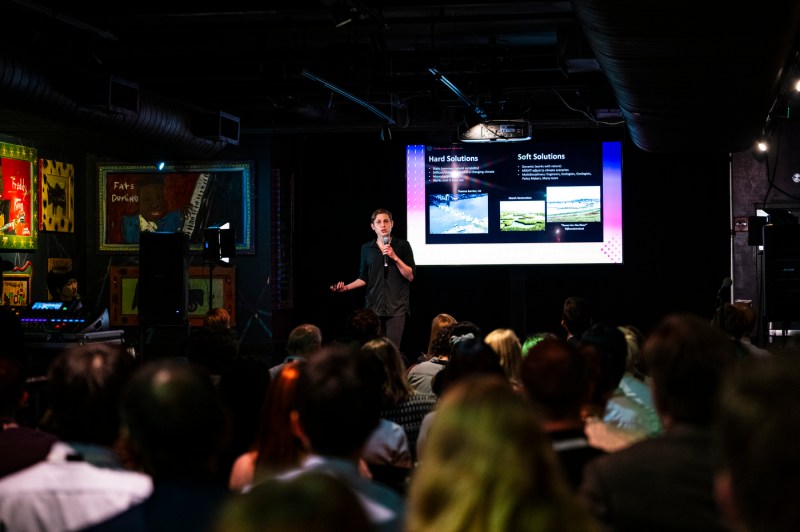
x: 312, y: 502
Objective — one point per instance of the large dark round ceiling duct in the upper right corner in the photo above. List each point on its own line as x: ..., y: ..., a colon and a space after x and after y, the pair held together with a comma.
x: 679, y: 73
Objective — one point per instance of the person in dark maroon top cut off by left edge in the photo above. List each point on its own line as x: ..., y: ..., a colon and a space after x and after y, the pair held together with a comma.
x: 20, y: 445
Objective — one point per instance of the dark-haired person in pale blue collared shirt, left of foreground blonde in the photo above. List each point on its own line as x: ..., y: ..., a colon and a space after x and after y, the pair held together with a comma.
x: 339, y: 399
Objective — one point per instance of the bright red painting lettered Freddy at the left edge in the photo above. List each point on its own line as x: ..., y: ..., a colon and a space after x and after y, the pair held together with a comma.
x: 18, y: 205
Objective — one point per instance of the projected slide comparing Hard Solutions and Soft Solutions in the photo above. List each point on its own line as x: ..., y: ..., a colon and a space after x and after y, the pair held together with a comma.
x: 514, y: 203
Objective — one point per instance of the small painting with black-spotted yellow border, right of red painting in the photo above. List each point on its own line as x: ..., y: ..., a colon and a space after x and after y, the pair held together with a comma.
x: 56, y: 196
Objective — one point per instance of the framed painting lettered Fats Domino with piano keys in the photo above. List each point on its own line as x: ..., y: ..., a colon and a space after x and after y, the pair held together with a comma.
x: 181, y: 197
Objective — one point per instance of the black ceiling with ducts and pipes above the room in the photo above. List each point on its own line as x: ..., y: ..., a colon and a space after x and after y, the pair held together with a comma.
x: 662, y: 70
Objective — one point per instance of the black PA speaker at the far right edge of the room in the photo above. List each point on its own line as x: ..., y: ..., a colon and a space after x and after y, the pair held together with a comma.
x: 782, y: 272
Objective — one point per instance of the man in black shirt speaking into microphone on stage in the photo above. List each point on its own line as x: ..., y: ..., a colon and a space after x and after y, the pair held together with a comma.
x: 387, y: 269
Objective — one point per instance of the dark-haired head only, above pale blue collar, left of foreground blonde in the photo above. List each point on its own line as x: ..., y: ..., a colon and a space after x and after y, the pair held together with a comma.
x: 339, y: 398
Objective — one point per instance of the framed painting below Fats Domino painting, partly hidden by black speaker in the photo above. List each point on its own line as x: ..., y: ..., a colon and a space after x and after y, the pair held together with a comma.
x: 206, y: 291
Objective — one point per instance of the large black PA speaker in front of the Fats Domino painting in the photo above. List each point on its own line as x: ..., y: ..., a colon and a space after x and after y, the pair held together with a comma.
x: 163, y: 290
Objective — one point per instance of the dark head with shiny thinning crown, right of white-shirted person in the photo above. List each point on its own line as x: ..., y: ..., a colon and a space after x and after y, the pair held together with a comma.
x: 174, y: 423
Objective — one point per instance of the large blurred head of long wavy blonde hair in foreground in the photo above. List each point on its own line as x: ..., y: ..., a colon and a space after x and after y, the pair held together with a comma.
x: 489, y: 467
